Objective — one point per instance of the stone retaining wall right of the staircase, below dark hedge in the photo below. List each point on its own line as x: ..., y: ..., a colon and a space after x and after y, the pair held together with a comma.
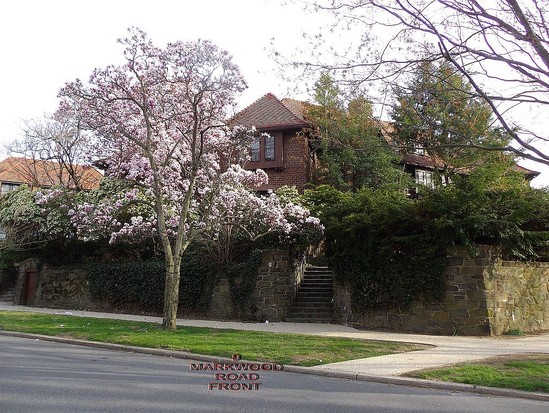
x: 483, y: 296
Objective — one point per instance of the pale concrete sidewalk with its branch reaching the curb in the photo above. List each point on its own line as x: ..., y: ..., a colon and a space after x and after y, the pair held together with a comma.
x: 446, y: 350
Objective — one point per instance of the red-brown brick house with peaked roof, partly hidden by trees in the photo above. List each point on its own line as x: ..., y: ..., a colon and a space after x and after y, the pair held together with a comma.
x: 286, y: 157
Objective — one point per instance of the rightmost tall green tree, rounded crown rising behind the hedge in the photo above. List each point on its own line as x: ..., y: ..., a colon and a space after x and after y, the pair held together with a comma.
x: 437, y: 115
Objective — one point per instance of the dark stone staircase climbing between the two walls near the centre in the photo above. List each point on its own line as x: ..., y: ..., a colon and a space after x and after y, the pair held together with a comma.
x: 313, y: 302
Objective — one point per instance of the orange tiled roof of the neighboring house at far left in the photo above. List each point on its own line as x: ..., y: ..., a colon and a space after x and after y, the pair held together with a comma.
x: 45, y: 173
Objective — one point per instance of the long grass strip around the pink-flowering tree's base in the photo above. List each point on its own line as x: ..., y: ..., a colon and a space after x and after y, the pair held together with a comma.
x: 295, y: 349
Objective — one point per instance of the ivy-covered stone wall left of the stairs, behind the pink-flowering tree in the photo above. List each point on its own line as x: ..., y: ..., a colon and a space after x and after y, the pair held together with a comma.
x: 259, y: 288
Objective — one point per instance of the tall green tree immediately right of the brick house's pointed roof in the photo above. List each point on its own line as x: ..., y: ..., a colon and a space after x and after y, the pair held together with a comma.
x: 348, y: 144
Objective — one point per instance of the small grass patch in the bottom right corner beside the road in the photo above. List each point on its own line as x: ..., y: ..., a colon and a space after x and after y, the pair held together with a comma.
x: 528, y: 372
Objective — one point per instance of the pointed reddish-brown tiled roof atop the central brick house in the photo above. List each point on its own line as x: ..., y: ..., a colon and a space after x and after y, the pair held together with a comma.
x: 269, y: 113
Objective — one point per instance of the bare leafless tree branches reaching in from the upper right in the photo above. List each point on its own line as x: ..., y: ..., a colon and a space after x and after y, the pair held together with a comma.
x: 500, y: 46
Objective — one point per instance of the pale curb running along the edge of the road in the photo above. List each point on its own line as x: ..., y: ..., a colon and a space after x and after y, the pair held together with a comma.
x: 317, y: 371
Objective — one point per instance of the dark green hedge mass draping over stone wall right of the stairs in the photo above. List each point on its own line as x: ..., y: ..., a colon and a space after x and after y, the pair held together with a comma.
x: 392, y: 248
